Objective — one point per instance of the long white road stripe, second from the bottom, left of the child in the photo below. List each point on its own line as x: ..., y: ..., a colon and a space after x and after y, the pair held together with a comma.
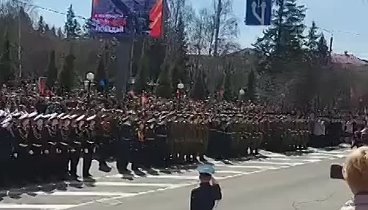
x: 85, y: 193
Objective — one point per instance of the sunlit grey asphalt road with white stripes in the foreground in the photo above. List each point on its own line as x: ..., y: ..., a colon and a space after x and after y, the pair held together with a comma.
x: 278, y: 182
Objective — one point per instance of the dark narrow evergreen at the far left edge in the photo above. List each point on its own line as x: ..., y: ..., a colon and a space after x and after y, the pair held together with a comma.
x: 6, y: 70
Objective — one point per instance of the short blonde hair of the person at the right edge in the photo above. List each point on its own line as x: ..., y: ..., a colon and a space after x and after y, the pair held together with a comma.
x: 356, y: 170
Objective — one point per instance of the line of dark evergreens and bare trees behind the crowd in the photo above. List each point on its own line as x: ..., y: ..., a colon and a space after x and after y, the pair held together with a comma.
x: 199, y: 48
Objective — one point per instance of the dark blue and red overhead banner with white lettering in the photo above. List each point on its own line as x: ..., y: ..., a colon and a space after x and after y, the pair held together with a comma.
x: 127, y: 17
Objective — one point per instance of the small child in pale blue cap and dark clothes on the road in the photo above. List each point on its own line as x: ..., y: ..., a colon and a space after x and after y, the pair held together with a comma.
x: 208, y: 193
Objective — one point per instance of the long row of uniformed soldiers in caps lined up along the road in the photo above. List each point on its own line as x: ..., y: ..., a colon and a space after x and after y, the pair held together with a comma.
x: 34, y: 142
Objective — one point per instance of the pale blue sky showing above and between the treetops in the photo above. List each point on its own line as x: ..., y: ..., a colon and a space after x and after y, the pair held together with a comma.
x: 347, y: 20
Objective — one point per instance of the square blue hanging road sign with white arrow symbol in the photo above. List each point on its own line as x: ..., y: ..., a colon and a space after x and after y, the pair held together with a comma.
x: 258, y: 12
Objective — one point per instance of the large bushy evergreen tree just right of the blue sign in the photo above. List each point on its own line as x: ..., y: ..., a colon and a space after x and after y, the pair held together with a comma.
x: 283, y: 40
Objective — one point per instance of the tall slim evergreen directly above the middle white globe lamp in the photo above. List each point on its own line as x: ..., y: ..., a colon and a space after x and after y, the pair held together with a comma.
x: 180, y: 70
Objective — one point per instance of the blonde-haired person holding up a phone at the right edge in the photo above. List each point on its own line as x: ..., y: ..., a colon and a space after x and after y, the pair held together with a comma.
x: 355, y: 173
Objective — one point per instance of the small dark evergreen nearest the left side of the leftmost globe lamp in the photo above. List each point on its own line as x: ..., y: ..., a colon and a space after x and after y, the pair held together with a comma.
x: 67, y: 74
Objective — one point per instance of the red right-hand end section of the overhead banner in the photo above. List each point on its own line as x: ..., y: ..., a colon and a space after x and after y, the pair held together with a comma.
x: 156, y: 14
